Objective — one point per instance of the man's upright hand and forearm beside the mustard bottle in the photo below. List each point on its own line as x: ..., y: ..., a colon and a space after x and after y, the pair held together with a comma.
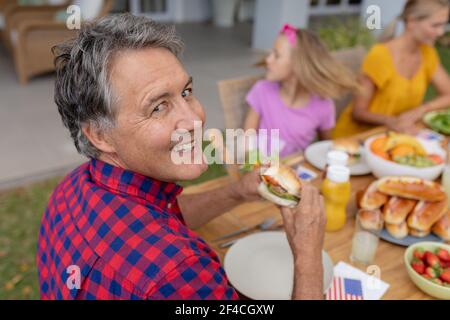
x: 305, y: 230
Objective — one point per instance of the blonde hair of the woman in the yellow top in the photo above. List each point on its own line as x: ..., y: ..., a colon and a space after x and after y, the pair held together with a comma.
x: 414, y: 9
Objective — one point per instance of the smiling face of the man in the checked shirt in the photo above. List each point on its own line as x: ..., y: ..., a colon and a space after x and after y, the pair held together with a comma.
x: 155, y: 100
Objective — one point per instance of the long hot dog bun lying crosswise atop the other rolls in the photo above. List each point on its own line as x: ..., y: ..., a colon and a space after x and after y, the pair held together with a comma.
x: 411, y: 188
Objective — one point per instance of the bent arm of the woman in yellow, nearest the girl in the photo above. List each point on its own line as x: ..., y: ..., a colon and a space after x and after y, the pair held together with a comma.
x: 361, y: 104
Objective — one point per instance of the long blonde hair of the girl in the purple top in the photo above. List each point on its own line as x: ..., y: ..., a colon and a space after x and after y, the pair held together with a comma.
x: 317, y: 71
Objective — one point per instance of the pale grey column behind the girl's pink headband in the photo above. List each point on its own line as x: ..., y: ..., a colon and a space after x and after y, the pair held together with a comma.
x: 271, y: 15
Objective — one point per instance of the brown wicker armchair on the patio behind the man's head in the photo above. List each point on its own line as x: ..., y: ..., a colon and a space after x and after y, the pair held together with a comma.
x: 35, y: 32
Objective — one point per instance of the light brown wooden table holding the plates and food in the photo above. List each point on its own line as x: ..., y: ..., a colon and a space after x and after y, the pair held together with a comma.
x: 389, y: 257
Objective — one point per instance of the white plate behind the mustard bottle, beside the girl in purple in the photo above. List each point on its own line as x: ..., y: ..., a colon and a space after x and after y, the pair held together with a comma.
x: 316, y: 154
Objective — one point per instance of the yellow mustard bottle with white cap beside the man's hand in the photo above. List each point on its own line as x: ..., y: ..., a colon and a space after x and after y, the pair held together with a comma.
x: 336, y: 191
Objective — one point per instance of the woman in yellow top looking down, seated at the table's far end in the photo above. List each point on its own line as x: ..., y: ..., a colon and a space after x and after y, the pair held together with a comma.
x: 397, y: 72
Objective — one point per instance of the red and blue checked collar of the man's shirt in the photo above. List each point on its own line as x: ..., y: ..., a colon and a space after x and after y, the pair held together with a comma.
x: 126, y: 182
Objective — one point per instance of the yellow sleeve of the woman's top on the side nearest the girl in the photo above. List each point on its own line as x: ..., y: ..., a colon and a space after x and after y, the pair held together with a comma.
x: 376, y: 65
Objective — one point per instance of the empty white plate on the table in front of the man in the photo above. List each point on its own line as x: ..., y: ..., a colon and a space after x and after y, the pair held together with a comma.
x: 261, y: 267
